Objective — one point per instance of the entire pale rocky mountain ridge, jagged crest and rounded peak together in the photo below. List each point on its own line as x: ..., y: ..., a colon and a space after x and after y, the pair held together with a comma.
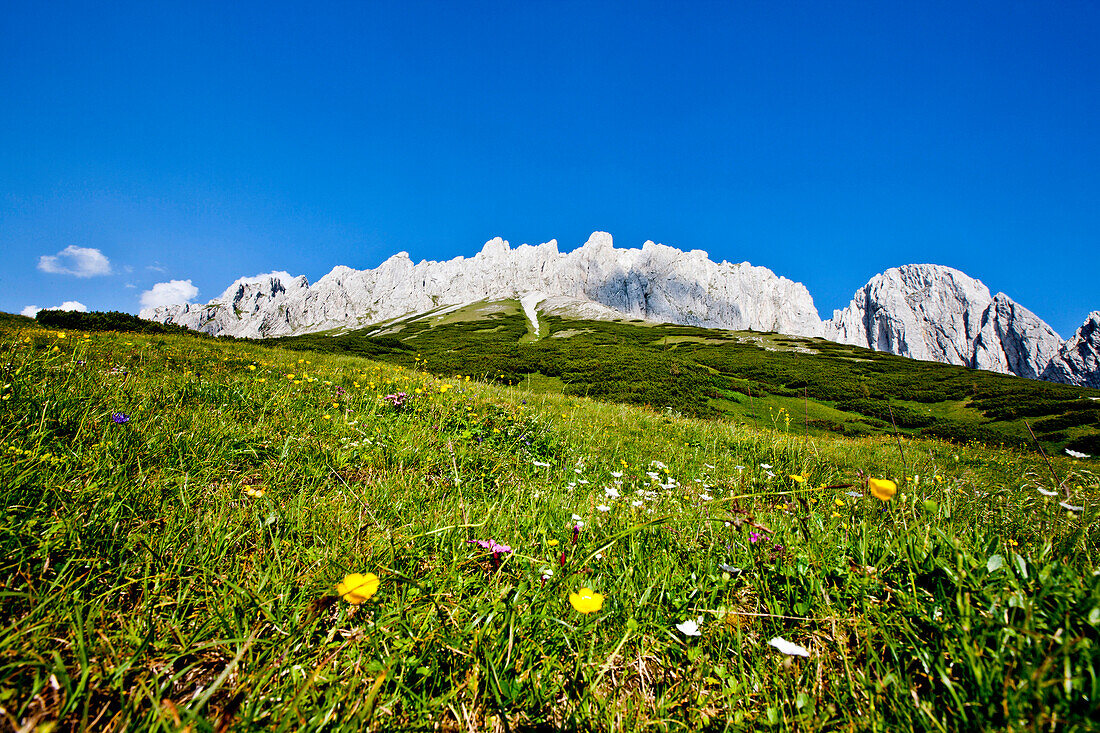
x: 920, y: 311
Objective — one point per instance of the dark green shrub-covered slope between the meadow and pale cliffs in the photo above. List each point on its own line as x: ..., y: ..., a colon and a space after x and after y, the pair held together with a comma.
x: 746, y: 377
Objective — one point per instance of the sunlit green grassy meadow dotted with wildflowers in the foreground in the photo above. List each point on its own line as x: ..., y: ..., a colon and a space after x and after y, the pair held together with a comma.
x: 146, y: 587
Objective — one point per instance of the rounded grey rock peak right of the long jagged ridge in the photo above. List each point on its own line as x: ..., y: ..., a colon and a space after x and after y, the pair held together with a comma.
x: 940, y: 314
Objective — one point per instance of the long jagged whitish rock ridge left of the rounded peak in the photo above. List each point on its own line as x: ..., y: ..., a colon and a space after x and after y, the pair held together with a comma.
x: 655, y: 283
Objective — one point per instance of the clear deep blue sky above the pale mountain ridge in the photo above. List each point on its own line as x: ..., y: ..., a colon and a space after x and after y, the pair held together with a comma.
x: 827, y: 141
